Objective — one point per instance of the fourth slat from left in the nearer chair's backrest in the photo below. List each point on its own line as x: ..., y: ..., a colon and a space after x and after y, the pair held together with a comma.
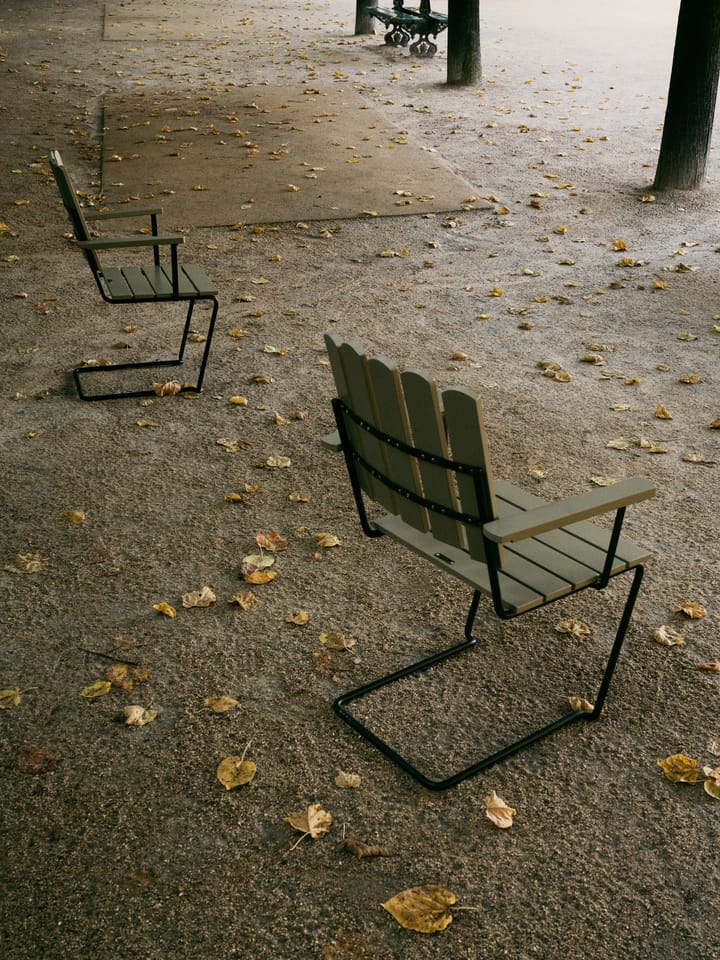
x: 428, y: 432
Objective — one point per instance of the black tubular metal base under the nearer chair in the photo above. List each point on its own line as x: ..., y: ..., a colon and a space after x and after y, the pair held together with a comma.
x: 470, y: 641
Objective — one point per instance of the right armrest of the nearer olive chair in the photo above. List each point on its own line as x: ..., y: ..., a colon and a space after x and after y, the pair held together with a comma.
x: 530, y: 523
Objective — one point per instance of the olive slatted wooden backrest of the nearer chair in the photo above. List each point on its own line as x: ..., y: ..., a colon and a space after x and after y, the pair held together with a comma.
x: 448, y: 424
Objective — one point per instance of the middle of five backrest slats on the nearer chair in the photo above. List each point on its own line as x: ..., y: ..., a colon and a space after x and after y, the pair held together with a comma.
x: 393, y: 419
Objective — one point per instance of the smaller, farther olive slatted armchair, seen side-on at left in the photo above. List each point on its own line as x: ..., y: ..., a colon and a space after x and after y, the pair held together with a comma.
x: 158, y: 282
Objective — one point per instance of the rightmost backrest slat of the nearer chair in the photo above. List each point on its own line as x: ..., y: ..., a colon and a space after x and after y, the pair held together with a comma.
x: 466, y: 433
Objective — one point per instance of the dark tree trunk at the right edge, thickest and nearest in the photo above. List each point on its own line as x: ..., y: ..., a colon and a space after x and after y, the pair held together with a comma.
x: 691, y: 98
